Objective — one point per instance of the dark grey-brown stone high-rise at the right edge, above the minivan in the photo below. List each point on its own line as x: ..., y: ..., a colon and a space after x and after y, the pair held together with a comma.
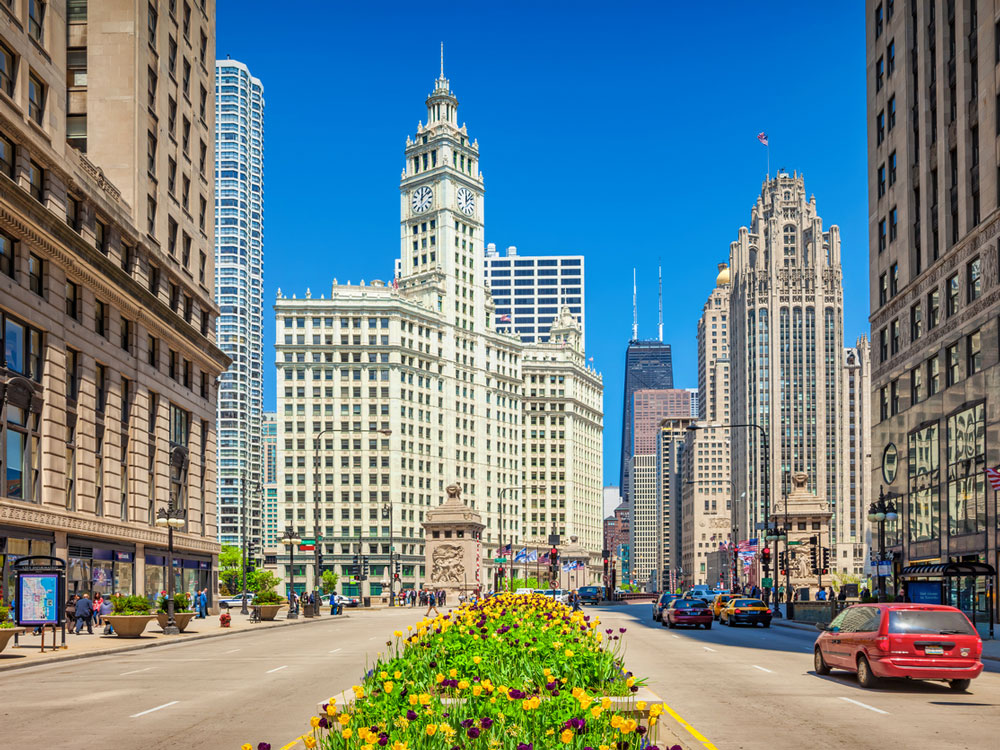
x: 934, y: 279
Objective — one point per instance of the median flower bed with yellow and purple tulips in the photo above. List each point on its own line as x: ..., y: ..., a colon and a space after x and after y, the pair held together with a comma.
x: 508, y: 673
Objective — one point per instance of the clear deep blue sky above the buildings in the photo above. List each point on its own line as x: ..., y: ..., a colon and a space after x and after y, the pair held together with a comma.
x: 623, y: 131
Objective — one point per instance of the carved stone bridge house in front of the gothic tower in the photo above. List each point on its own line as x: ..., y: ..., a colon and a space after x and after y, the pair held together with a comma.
x: 805, y: 516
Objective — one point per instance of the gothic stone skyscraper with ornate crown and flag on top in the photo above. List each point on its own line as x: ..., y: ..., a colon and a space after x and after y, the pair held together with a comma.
x: 786, y: 315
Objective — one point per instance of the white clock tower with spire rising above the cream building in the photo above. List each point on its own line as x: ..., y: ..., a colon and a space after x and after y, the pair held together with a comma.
x: 441, y: 214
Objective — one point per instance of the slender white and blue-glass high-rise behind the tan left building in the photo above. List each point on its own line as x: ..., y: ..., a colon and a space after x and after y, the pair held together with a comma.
x: 239, y: 292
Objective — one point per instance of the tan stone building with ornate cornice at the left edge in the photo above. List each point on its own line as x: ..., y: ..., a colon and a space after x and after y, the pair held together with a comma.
x: 107, y: 322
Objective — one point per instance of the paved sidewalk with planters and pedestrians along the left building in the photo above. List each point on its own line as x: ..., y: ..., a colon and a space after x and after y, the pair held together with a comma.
x: 28, y: 652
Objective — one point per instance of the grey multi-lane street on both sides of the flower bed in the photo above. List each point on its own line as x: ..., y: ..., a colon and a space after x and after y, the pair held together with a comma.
x: 739, y: 688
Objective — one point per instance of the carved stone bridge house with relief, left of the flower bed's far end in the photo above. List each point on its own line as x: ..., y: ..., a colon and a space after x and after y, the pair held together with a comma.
x: 453, y: 548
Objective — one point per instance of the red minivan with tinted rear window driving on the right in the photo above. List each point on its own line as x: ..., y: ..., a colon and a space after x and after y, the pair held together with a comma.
x: 915, y: 641
